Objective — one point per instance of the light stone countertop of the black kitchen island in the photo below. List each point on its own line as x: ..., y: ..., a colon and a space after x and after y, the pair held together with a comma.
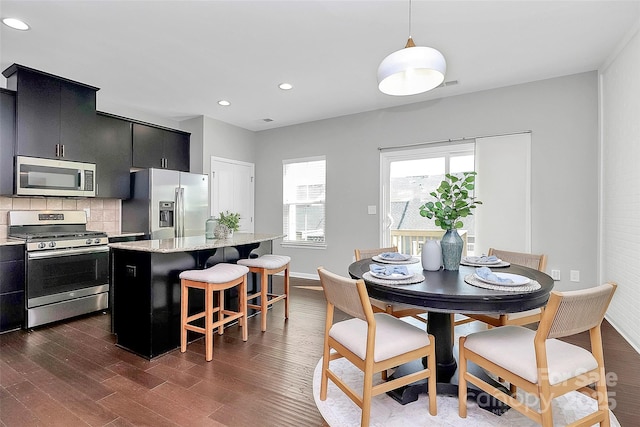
x: 195, y: 243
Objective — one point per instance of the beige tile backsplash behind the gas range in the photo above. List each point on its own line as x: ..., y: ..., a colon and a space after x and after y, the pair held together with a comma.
x: 104, y: 214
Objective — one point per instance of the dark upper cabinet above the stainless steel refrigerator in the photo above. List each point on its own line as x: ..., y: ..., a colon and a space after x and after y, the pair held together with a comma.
x: 156, y: 147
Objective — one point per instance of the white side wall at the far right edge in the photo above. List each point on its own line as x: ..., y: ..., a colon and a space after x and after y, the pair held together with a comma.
x: 620, y: 229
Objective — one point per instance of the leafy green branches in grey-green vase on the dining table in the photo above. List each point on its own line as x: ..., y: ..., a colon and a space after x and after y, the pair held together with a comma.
x: 452, y: 202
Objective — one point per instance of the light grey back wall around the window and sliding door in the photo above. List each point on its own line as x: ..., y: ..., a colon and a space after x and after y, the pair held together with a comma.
x: 562, y: 114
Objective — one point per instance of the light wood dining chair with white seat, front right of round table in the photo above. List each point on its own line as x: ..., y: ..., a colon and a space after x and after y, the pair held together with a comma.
x: 539, y: 363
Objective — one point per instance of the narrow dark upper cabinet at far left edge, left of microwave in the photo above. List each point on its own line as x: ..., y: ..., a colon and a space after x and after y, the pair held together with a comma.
x: 7, y: 139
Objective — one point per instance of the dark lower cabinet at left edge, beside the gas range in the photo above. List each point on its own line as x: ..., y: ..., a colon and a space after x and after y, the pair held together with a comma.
x: 11, y: 287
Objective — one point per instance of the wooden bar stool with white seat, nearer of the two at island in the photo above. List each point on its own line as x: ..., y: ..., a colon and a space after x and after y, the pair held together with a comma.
x: 212, y: 280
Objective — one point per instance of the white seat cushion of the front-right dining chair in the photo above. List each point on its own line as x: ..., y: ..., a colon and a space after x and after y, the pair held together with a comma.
x: 512, y: 348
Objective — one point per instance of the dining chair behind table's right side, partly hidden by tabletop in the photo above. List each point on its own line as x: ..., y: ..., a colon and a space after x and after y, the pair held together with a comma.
x: 535, y: 261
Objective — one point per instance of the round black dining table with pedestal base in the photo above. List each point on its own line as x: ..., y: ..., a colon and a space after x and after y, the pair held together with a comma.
x: 444, y: 292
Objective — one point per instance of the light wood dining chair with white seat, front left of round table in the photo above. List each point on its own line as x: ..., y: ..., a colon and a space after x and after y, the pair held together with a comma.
x: 372, y: 342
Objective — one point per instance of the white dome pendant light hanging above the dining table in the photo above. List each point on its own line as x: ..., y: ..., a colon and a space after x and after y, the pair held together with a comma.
x: 412, y: 70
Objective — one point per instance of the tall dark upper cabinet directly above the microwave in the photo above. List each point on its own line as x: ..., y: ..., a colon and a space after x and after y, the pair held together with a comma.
x: 55, y: 117
